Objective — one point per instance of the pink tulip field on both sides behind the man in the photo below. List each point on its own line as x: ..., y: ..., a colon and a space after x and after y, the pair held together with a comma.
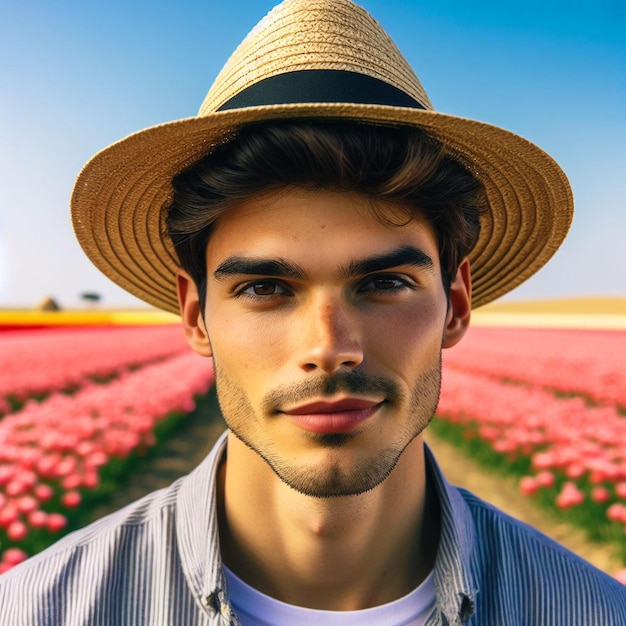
x: 78, y: 404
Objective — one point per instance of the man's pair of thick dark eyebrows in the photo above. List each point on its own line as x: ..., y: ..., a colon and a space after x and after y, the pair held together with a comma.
x: 281, y: 268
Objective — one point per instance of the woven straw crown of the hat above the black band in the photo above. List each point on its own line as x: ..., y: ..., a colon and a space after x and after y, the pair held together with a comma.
x: 314, y: 35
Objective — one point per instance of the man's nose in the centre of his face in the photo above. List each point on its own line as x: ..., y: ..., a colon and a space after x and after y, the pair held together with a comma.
x: 329, y: 337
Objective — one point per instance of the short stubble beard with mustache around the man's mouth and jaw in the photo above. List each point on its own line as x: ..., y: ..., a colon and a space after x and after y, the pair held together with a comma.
x: 334, y: 480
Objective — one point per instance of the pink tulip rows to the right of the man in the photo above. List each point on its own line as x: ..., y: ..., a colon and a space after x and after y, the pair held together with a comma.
x: 549, y: 406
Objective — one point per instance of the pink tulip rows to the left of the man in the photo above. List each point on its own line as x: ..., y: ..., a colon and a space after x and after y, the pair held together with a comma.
x: 58, y: 451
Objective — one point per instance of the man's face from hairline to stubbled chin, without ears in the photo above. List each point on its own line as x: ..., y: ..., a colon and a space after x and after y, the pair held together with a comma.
x: 326, y: 328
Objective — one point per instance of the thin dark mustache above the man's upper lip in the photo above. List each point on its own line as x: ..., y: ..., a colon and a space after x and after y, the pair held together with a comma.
x: 353, y: 382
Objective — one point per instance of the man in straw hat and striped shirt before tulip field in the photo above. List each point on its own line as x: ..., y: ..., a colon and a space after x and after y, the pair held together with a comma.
x: 324, y: 235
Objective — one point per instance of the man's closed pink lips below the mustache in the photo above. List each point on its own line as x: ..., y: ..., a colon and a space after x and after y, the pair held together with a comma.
x: 333, y: 417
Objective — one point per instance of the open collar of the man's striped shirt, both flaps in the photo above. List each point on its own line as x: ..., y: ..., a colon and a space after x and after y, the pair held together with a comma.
x: 198, y: 540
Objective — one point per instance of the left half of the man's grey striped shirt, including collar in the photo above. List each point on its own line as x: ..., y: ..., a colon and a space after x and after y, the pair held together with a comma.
x: 143, y: 564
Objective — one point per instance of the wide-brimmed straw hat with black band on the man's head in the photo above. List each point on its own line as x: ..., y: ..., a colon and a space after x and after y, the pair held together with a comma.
x: 314, y: 59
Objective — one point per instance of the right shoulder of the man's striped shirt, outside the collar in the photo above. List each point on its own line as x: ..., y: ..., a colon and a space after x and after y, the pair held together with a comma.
x: 535, y: 572
